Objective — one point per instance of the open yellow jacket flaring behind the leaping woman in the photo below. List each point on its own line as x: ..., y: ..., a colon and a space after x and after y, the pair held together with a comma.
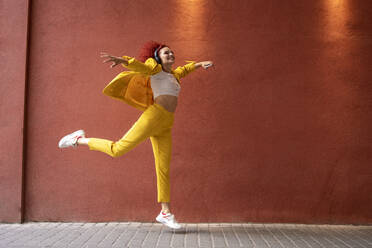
x: 134, y: 86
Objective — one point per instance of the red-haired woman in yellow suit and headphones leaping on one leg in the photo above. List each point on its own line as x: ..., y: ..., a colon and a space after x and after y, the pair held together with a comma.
x: 156, y: 121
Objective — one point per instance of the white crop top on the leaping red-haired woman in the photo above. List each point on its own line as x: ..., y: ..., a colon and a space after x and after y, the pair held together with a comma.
x: 164, y: 83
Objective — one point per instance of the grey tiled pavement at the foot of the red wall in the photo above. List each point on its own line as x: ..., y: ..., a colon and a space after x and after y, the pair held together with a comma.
x: 135, y: 234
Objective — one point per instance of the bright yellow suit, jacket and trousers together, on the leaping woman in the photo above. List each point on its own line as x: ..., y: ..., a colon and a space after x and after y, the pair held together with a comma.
x: 155, y: 122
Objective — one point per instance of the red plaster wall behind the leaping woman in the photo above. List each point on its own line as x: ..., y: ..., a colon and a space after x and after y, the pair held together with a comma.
x: 278, y: 132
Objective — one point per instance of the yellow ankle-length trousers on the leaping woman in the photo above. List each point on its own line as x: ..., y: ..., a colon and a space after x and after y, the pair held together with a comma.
x: 155, y: 123
